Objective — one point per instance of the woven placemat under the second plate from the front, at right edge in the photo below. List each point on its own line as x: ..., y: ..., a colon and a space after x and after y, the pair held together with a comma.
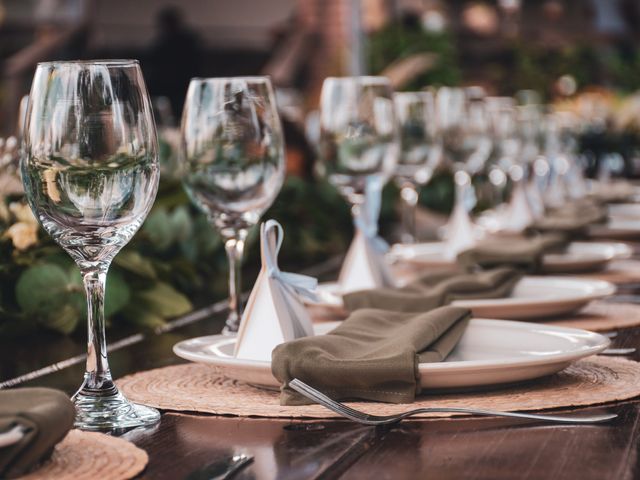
x: 601, y: 316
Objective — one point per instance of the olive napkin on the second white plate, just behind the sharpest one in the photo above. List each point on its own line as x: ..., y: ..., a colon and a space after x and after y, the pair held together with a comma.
x: 436, y: 289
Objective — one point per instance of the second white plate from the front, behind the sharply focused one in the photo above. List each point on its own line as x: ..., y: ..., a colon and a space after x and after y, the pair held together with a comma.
x: 532, y: 297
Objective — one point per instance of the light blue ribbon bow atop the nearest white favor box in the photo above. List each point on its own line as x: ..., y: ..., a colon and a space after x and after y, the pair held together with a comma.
x: 271, y: 237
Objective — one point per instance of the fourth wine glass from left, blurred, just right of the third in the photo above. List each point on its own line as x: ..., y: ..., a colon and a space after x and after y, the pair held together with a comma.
x: 419, y: 152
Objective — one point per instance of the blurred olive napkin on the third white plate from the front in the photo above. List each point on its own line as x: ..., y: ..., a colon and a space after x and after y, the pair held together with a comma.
x: 518, y: 252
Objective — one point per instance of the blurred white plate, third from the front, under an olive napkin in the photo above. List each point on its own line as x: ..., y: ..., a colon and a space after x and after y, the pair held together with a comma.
x: 578, y: 257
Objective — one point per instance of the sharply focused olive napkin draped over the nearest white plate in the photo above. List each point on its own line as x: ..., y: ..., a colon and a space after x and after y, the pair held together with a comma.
x: 372, y: 355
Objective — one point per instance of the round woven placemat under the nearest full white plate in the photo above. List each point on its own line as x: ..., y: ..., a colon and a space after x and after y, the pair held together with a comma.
x: 201, y: 388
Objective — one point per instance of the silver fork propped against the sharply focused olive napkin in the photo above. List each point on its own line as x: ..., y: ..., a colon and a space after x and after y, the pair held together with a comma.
x: 366, y: 419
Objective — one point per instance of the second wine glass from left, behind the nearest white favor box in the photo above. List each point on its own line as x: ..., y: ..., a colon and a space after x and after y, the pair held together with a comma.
x: 233, y: 161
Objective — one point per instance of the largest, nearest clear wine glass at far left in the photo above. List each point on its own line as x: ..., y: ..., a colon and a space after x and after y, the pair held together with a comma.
x: 90, y: 172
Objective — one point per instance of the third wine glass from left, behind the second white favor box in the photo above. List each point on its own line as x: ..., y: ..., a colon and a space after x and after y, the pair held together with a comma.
x: 358, y: 140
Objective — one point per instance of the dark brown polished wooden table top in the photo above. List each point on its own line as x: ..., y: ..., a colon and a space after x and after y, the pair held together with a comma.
x: 465, y: 448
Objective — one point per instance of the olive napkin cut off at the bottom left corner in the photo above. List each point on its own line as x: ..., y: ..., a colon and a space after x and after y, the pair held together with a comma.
x: 46, y: 416
